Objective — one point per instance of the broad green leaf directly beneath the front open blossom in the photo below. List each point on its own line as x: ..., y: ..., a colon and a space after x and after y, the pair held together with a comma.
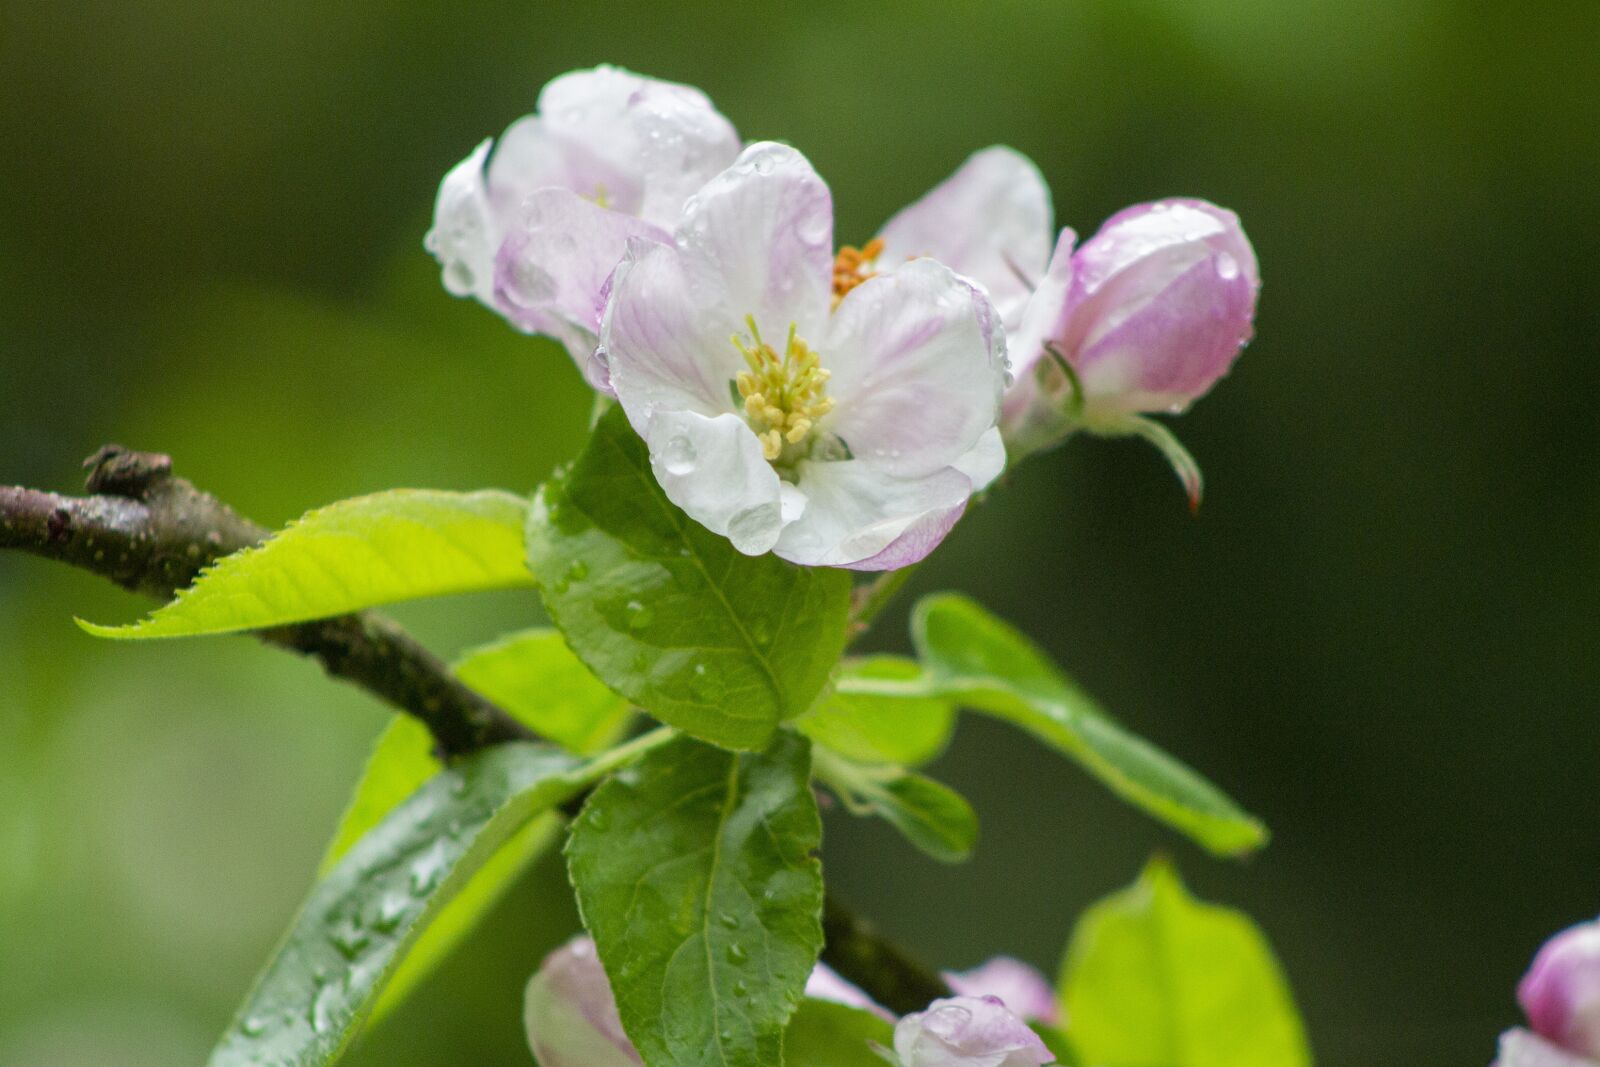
x: 670, y: 615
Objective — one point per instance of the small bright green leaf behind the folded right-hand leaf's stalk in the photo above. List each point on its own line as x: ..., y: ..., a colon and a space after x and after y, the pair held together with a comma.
x: 870, y: 727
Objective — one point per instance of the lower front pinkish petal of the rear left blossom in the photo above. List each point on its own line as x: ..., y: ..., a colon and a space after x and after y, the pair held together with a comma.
x: 553, y: 271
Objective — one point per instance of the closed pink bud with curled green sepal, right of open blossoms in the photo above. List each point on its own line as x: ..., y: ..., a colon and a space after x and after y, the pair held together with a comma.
x: 1143, y: 318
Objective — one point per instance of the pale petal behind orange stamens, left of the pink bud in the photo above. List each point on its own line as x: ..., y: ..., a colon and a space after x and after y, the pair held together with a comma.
x: 991, y: 220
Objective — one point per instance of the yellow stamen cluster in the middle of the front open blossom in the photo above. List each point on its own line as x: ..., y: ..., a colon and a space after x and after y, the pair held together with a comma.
x: 783, y: 396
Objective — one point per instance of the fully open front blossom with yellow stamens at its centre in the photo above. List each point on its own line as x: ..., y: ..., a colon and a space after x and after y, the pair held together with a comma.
x: 833, y: 425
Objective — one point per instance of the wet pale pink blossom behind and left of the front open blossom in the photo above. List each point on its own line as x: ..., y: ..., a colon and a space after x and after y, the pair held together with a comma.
x: 532, y: 226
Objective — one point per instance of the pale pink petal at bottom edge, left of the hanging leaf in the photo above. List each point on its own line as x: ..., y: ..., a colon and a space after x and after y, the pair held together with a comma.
x: 570, y: 1013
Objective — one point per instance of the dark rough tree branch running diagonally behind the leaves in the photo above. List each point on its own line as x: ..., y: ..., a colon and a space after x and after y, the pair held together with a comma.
x: 154, y: 533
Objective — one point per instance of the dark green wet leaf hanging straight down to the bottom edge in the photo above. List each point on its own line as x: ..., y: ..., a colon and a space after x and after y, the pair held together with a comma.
x: 695, y: 877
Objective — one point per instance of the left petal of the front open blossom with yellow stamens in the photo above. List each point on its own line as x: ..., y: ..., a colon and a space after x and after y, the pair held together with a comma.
x: 668, y: 340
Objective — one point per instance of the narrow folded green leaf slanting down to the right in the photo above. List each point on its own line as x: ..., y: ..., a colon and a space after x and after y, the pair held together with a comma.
x: 990, y: 666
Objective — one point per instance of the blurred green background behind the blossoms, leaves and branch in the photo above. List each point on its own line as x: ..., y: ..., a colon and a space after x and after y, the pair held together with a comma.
x: 1380, y: 634
